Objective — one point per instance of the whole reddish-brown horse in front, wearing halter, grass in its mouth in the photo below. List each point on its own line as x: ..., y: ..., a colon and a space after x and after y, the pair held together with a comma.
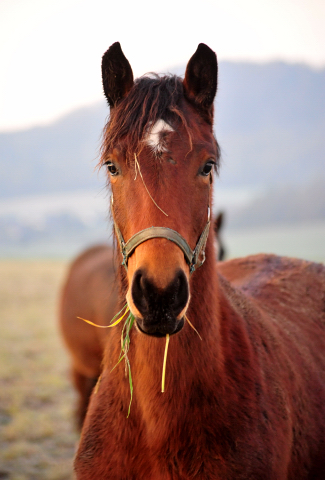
x: 248, y: 400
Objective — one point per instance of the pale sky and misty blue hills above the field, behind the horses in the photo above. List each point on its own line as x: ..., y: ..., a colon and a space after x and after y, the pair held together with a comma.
x: 270, y: 117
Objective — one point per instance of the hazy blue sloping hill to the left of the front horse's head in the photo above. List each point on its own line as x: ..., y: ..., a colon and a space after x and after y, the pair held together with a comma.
x: 60, y: 157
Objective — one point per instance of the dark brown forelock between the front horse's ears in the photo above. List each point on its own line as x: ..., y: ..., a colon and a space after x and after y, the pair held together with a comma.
x: 152, y: 97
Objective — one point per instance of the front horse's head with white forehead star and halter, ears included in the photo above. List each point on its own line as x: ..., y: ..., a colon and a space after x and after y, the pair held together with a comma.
x: 160, y: 151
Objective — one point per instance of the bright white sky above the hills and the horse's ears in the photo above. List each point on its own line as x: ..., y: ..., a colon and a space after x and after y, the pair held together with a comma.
x: 50, y: 50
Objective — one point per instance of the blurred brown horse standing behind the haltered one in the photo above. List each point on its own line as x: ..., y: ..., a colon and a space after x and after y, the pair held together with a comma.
x: 90, y: 292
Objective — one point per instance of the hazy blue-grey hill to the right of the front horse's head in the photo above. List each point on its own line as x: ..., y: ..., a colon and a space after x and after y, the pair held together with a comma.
x: 271, y: 124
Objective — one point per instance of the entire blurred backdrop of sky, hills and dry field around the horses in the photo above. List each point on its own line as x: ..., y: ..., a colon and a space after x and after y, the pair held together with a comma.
x: 270, y: 123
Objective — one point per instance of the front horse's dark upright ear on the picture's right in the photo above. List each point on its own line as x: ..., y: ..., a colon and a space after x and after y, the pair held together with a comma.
x: 201, y: 77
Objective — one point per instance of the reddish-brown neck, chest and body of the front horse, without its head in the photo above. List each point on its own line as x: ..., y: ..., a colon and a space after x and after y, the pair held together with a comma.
x: 253, y: 410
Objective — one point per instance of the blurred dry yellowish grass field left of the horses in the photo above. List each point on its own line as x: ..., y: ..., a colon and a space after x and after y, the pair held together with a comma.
x: 37, y: 436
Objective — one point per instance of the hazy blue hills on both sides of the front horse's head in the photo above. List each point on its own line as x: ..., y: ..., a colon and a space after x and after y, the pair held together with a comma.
x: 270, y: 123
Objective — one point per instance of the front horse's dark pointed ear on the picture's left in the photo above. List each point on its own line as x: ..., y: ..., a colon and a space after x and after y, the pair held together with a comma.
x: 117, y: 75
